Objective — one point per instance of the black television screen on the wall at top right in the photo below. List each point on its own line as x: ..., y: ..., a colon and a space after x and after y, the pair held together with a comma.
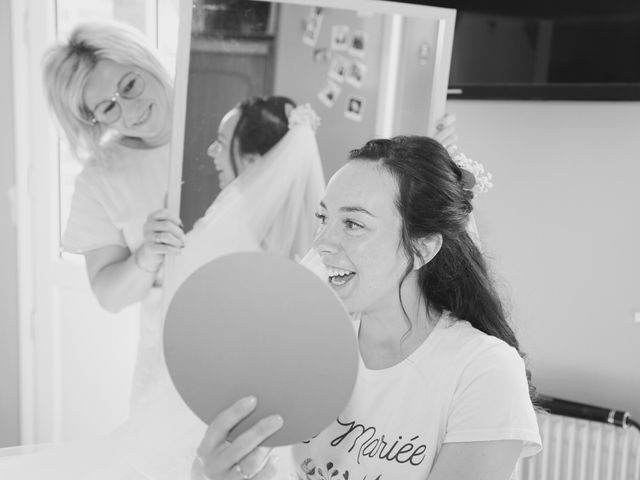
x: 506, y: 56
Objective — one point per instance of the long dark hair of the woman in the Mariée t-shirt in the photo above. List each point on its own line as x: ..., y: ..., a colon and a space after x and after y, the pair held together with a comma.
x: 431, y: 199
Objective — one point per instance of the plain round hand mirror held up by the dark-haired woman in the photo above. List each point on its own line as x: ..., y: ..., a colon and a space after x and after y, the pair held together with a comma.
x: 257, y: 324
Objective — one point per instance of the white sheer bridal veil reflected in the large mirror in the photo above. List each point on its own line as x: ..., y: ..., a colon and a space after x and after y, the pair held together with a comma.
x: 269, y: 207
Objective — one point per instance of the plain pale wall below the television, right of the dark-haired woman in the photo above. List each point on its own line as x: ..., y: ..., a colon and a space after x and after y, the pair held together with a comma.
x: 562, y: 225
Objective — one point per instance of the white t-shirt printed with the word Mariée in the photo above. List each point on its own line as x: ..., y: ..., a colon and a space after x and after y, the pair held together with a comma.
x: 460, y: 385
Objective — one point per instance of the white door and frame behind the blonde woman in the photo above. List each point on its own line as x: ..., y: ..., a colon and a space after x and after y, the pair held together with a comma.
x: 76, y: 359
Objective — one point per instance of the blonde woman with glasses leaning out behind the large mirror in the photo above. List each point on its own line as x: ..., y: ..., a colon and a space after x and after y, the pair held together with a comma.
x: 112, y: 97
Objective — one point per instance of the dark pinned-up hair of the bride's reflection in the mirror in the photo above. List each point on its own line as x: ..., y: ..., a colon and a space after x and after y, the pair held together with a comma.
x: 263, y: 122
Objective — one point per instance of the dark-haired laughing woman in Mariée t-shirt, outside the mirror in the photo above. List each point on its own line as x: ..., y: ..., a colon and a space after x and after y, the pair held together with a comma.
x: 442, y: 390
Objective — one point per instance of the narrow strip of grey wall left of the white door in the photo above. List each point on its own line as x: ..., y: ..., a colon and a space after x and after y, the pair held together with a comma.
x: 9, y: 421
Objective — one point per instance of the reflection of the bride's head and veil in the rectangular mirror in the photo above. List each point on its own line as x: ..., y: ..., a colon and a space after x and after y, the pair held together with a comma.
x: 271, y: 178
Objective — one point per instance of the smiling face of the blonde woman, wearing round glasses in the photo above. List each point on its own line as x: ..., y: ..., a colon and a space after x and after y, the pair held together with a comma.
x: 144, y: 113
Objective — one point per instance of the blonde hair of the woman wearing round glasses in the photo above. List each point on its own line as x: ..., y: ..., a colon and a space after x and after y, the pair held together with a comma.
x: 68, y: 65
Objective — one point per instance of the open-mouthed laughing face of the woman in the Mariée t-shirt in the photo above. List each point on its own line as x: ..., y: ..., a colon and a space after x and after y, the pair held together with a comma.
x: 359, y: 238
